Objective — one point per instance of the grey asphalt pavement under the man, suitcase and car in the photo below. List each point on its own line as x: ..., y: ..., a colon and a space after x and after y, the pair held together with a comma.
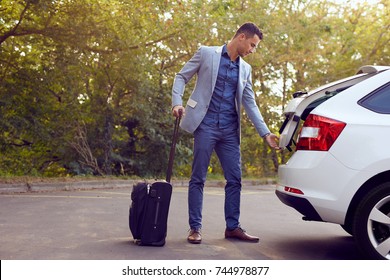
x: 93, y: 225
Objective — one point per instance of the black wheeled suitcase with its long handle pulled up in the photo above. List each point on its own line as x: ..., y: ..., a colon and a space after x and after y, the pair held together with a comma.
x: 148, y: 214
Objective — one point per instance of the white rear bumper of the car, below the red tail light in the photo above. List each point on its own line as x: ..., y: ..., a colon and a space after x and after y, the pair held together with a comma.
x: 317, y: 185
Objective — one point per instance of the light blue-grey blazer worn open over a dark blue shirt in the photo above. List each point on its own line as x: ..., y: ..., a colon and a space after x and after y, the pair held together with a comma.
x: 205, y: 64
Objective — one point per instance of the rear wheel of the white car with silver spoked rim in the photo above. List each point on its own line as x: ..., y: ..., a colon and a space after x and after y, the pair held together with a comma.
x: 371, y: 225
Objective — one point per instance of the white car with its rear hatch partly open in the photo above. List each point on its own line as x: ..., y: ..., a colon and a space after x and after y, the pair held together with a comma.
x: 340, y: 168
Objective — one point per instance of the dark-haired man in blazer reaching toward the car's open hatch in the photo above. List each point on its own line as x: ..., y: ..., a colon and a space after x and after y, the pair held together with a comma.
x: 212, y: 114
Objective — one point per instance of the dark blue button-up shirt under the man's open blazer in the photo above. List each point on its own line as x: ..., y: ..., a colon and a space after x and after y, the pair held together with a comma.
x: 222, y: 109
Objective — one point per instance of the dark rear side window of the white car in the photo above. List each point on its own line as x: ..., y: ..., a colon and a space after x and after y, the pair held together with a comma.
x: 378, y: 101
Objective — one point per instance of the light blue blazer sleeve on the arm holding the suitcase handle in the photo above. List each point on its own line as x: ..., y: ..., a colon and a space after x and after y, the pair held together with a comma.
x: 184, y: 76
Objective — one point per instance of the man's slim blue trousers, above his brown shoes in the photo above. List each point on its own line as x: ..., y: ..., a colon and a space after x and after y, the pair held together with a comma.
x: 226, y: 144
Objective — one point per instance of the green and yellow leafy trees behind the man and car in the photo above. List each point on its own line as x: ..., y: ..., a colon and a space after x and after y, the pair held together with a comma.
x: 85, y: 85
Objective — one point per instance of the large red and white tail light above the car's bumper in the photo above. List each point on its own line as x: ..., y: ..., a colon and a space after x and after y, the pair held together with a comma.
x: 319, y: 133
